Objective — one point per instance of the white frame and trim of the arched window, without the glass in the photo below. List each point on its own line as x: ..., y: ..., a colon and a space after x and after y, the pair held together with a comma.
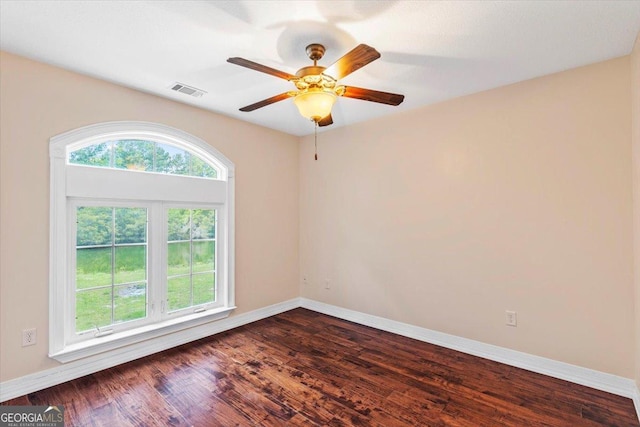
x: 70, y: 183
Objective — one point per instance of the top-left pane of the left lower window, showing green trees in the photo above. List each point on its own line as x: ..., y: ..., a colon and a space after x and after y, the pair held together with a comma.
x: 94, y: 226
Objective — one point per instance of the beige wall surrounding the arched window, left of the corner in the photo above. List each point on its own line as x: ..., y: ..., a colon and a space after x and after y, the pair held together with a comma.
x: 39, y: 101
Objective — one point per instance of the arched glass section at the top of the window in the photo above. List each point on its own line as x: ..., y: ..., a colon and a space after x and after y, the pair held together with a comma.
x: 143, y: 155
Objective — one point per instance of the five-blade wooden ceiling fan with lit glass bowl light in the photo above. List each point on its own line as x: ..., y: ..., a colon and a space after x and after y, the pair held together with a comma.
x: 317, y: 87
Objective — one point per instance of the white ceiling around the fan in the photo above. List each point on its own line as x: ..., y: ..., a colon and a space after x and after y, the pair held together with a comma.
x: 431, y: 50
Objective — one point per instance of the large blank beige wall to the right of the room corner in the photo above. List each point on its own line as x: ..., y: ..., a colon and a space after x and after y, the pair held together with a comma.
x: 516, y: 198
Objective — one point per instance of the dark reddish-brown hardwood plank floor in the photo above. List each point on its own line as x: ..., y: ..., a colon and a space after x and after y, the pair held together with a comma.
x: 305, y: 368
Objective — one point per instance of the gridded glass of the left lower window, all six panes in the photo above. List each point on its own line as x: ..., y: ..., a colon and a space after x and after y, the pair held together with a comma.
x: 111, y: 266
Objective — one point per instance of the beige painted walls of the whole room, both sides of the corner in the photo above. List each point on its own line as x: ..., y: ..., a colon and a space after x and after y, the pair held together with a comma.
x: 517, y: 198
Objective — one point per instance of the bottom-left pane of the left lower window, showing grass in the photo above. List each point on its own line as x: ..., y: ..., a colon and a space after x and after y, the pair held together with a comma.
x: 93, y: 308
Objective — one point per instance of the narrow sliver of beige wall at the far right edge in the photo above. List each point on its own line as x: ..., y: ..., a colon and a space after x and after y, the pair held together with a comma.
x: 635, y: 118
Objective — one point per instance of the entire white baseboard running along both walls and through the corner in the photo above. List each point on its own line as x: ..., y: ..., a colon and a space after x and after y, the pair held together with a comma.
x: 598, y: 380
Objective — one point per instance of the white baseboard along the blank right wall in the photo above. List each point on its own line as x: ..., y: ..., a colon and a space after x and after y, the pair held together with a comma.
x: 588, y: 377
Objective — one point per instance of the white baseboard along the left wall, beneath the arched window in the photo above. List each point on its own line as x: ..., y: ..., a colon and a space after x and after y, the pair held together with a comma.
x: 72, y: 370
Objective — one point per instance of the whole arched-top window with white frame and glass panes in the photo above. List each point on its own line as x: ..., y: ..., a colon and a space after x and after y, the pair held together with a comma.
x: 141, y: 236
